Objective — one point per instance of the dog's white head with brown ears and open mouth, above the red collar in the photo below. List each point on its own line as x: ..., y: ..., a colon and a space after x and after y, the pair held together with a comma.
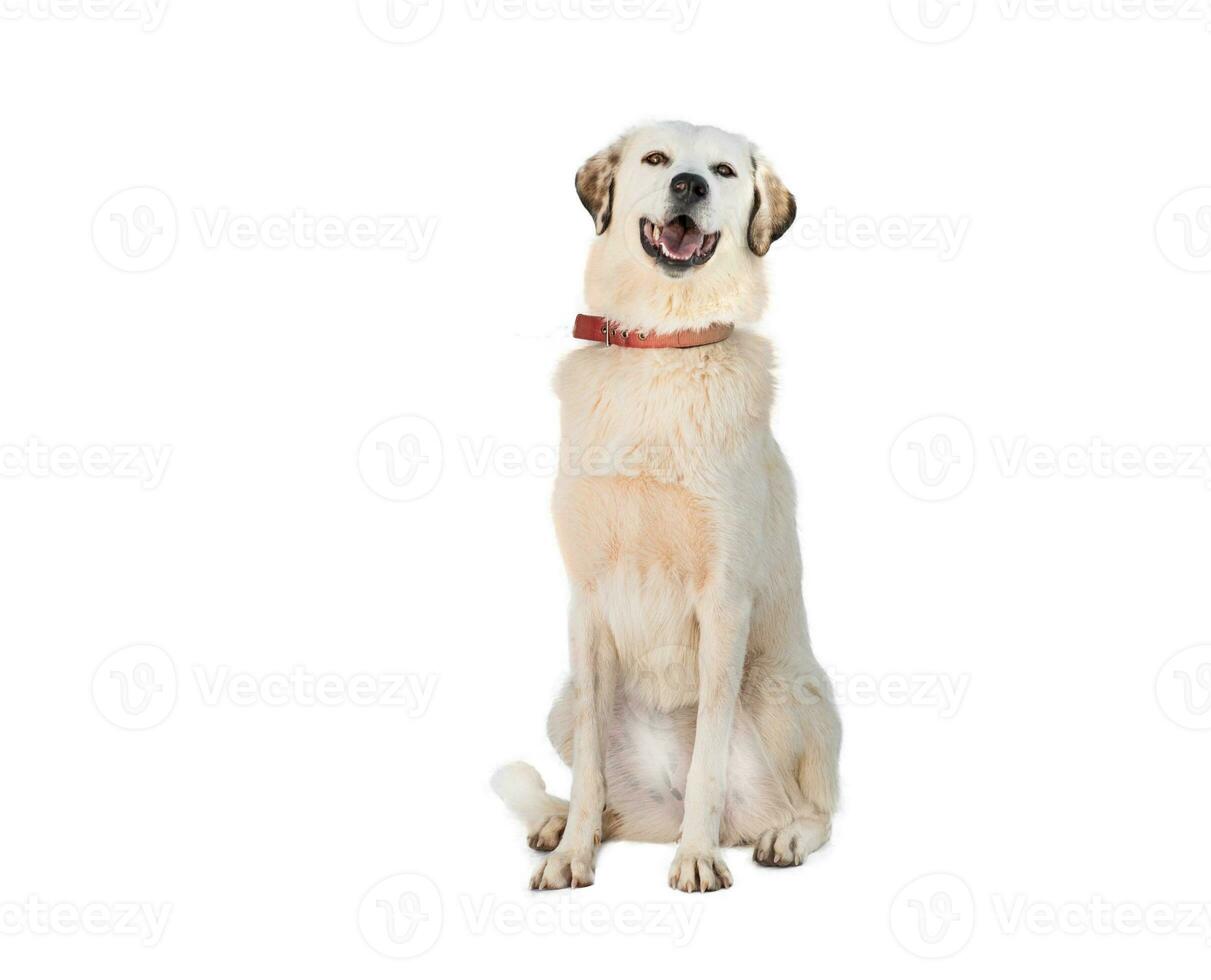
x: 684, y: 215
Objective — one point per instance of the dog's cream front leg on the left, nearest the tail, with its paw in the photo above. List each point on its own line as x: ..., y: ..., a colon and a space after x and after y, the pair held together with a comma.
x: 593, y: 683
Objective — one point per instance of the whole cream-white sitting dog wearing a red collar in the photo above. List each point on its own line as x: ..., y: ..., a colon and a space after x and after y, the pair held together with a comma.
x: 696, y: 712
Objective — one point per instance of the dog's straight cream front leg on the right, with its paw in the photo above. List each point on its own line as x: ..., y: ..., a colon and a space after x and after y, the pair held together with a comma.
x: 724, y: 639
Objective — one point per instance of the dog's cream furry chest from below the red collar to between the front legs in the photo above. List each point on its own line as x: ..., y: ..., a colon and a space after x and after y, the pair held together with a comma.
x: 650, y: 448
